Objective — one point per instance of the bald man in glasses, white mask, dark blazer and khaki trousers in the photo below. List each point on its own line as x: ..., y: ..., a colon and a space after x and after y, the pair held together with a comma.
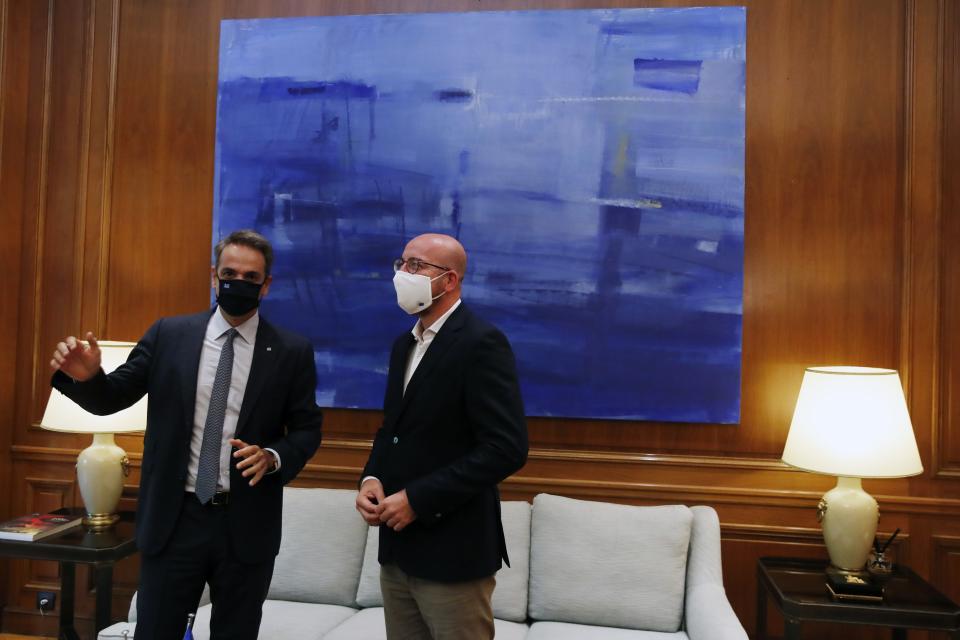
x: 453, y: 429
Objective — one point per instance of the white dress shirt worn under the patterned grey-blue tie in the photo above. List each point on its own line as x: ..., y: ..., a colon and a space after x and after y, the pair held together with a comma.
x: 213, y: 342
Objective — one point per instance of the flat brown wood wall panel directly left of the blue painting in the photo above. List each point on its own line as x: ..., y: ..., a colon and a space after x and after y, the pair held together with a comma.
x: 163, y: 159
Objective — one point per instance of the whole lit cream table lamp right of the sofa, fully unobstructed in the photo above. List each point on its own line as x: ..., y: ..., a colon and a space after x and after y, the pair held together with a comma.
x: 851, y: 422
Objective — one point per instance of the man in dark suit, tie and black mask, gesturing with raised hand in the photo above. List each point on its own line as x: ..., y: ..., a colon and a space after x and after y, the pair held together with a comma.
x: 231, y: 418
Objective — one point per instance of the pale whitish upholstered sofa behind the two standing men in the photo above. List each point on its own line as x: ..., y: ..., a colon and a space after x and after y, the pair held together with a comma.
x: 580, y: 571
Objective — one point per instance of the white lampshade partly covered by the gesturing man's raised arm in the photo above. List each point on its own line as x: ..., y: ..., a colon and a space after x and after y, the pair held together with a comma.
x: 63, y: 414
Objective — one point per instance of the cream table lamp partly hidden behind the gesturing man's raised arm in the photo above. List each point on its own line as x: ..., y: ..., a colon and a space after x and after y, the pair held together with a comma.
x: 103, y: 465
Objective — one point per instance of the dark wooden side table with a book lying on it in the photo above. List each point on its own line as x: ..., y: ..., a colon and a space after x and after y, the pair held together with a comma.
x: 78, y: 545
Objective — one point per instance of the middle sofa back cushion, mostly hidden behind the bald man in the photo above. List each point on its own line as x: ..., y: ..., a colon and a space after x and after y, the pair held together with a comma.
x: 510, y: 595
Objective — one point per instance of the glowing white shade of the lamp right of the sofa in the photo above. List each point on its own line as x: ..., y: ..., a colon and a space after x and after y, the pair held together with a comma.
x: 852, y: 422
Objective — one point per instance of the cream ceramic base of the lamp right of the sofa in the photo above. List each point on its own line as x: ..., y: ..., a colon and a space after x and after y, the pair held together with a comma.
x: 849, y: 518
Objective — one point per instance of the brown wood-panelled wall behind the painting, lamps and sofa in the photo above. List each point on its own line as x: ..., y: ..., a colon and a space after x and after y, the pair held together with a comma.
x: 107, y: 120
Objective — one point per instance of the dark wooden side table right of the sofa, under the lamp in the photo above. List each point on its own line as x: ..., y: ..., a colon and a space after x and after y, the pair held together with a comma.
x: 798, y: 587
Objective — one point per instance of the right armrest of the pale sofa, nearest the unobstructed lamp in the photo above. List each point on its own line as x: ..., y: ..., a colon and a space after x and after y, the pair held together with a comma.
x: 707, y: 612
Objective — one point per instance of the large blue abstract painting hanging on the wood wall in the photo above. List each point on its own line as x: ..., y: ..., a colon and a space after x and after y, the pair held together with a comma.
x: 591, y: 162
